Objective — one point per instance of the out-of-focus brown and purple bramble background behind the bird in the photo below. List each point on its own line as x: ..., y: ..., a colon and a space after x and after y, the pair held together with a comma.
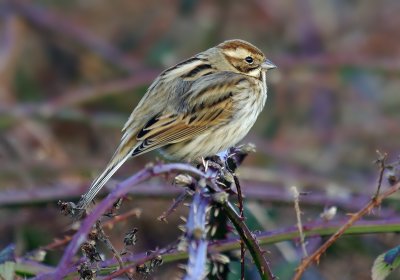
x: 72, y: 71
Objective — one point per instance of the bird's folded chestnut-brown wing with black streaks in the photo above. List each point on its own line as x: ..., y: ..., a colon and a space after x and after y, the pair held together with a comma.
x: 208, y: 104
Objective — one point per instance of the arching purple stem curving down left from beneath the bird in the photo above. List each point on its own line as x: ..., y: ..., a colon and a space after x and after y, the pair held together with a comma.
x: 121, y: 190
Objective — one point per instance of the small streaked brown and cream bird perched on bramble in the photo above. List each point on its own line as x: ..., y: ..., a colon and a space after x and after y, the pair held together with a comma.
x: 197, y: 108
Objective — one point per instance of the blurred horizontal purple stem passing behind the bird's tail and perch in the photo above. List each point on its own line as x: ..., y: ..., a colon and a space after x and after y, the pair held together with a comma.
x: 264, y: 192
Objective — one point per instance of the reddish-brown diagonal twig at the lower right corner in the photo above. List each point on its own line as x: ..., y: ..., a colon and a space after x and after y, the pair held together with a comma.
x: 376, y: 201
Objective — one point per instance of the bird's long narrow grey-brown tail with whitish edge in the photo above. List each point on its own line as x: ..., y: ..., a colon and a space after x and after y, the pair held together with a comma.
x: 102, y: 179
